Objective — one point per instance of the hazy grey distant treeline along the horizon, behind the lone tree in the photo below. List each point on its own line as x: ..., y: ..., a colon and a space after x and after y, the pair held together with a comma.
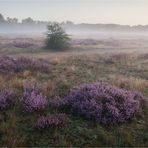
x: 29, y: 22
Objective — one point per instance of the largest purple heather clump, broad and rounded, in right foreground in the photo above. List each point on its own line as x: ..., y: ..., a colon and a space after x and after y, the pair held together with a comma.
x: 102, y: 103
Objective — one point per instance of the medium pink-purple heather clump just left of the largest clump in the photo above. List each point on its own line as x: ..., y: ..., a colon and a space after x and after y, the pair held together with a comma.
x: 33, y: 100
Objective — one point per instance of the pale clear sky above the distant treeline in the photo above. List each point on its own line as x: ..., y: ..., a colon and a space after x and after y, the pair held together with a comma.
x: 131, y: 12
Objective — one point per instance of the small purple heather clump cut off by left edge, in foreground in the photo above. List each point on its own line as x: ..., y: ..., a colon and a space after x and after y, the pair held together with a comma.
x: 5, y: 98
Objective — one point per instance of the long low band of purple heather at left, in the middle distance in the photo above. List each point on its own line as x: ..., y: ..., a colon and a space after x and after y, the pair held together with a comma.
x: 15, y: 65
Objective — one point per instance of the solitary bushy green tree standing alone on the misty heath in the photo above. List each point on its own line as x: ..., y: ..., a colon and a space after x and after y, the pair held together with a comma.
x: 57, y: 39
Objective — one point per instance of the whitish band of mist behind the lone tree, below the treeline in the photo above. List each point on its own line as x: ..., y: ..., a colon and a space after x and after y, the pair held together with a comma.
x: 77, y: 30
